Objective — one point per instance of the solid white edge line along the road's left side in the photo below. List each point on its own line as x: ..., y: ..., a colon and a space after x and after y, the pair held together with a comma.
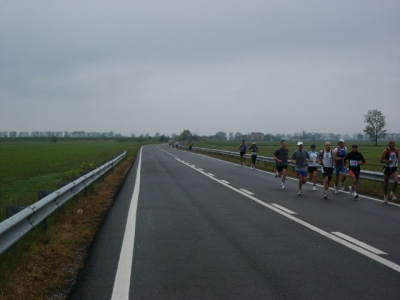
x: 123, y: 276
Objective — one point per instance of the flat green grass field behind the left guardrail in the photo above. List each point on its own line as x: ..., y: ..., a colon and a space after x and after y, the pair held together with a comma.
x: 29, y: 166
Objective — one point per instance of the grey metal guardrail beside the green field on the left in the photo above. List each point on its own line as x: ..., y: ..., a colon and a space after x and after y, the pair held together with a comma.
x: 15, y: 227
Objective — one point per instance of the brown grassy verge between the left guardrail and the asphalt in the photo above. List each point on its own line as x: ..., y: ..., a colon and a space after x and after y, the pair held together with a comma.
x: 48, y: 269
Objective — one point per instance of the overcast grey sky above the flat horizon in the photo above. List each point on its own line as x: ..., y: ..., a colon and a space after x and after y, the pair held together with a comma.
x: 165, y: 66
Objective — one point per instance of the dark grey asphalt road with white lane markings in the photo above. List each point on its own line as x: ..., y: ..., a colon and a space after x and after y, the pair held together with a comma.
x: 201, y: 228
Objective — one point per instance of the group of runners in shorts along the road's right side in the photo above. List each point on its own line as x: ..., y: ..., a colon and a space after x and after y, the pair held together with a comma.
x: 331, y: 162
